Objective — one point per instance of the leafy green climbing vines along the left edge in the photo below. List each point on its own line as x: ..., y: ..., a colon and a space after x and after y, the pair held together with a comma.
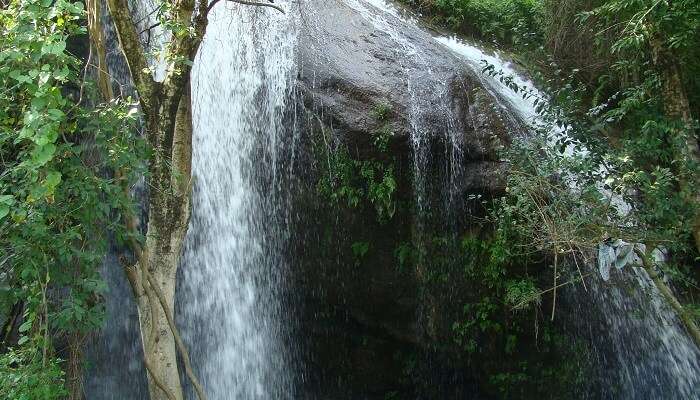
x: 58, y: 201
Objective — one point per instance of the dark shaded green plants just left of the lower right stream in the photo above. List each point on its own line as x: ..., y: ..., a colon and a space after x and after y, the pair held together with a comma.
x: 498, y: 328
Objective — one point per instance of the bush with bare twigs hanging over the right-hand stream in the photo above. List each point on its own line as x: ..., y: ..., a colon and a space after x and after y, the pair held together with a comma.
x: 569, y: 188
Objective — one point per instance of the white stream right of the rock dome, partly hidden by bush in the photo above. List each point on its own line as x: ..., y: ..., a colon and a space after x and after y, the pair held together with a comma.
x: 642, y: 349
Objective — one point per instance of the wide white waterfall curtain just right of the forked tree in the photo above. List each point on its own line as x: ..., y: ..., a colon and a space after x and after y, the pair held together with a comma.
x: 231, y: 290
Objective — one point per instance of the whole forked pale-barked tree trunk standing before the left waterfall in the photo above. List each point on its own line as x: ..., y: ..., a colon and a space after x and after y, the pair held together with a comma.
x: 168, y: 122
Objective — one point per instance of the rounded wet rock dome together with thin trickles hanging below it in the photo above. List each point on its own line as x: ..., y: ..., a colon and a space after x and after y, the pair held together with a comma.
x: 358, y: 54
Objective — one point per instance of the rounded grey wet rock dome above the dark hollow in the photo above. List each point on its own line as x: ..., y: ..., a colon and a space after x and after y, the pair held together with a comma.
x: 354, y: 59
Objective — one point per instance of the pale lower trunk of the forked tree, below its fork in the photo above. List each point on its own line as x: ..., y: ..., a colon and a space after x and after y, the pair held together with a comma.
x: 169, y: 211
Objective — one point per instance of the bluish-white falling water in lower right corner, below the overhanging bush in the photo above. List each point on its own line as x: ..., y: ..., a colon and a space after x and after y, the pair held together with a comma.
x: 639, y: 343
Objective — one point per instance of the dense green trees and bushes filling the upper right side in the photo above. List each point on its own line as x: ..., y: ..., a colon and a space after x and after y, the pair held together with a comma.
x: 621, y: 80
